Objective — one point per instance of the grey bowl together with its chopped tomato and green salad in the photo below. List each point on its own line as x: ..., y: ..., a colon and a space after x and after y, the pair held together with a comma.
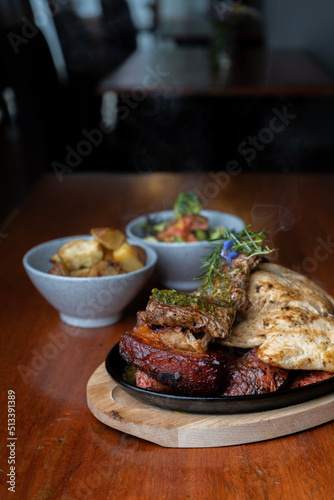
x: 182, y: 238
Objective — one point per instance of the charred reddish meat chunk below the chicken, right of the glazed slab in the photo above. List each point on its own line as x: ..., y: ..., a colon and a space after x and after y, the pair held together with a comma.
x: 248, y: 375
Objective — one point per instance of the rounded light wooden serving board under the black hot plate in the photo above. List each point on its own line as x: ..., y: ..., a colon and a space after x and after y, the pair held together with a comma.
x: 110, y: 404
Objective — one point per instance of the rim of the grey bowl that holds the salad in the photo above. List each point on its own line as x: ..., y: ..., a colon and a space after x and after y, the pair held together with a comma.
x: 176, y: 244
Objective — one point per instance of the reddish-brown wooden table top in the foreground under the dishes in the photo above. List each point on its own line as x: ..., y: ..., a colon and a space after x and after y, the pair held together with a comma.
x: 62, y: 451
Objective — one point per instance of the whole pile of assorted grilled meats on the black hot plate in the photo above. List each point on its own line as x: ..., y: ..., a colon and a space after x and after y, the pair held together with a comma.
x: 285, y: 319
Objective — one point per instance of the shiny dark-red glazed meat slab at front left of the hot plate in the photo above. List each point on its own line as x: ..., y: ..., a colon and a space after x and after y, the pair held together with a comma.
x: 186, y: 372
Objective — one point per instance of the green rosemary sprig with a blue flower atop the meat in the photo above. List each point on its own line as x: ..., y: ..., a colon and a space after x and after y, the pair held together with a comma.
x: 247, y: 242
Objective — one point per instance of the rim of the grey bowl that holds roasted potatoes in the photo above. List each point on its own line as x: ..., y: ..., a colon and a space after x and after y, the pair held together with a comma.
x: 150, y: 252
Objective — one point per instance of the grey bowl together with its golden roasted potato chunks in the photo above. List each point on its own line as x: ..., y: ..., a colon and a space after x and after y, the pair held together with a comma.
x: 90, y: 279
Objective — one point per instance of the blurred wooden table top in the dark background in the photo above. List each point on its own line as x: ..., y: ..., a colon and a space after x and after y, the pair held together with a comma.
x: 188, y: 71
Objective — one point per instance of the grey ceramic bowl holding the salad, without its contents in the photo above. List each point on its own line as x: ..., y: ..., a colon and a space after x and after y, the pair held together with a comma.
x: 179, y: 263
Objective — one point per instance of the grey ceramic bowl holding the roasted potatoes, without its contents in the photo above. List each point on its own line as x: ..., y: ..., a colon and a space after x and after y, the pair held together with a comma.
x: 85, y: 302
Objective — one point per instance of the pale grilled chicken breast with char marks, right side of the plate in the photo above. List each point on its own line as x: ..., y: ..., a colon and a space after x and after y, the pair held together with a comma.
x: 289, y: 317
